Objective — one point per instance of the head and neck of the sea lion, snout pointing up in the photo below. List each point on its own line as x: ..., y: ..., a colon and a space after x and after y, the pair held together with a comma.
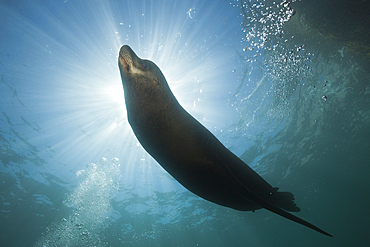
x: 145, y: 87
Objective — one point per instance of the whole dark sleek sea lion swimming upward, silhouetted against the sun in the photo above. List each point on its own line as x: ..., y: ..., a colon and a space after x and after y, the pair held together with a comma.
x: 190, y: 152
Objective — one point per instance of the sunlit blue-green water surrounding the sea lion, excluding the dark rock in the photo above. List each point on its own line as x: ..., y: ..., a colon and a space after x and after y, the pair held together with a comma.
x: 292, y: 102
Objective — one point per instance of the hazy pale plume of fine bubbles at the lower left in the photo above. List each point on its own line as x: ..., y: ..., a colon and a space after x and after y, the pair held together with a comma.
x: 91, y: 204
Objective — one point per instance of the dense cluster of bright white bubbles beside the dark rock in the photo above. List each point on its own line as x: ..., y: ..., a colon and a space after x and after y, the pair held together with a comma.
x: 268, y: 43
